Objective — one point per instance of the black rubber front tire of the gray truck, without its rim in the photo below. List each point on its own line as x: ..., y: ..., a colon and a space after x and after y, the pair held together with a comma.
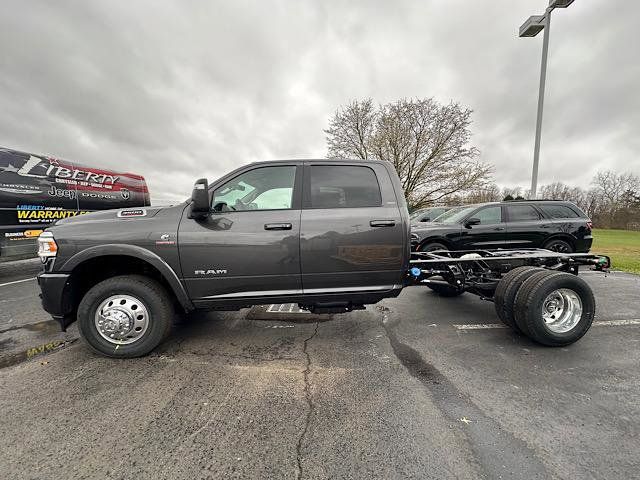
x: 152, y: 297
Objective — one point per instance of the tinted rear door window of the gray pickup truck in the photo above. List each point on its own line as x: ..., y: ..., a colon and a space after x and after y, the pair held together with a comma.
x: 343, y: 186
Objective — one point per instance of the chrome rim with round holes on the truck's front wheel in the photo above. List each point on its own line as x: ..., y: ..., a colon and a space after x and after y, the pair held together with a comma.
x: 121, y: 319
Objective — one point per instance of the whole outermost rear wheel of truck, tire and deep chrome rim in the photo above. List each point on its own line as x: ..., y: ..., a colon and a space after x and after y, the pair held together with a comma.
x: 555, y: 309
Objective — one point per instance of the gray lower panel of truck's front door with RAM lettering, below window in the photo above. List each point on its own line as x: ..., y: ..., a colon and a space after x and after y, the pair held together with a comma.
x: 232, y: 254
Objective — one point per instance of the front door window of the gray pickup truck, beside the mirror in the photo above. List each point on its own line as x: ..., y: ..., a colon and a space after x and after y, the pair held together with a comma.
x: 266, y: 188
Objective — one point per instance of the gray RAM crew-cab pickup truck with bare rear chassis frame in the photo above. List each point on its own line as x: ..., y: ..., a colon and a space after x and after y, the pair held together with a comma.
x: 330, y: 235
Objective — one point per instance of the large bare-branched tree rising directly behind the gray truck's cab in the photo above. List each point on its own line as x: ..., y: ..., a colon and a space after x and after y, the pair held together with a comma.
x: 427, y: 143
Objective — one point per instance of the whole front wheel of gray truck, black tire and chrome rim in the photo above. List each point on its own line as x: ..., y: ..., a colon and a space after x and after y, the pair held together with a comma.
x: 125, y: 316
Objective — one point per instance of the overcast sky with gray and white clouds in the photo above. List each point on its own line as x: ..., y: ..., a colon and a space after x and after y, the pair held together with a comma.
x: 176, y: 90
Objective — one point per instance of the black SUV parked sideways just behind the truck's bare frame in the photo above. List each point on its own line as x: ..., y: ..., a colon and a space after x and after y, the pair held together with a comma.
x: 555, y: 225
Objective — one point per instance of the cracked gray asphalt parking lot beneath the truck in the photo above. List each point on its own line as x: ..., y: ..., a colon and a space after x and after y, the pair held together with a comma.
x: 415, y: 387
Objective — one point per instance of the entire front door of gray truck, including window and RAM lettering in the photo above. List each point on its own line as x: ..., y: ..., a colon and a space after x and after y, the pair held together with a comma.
x: 249, y: 252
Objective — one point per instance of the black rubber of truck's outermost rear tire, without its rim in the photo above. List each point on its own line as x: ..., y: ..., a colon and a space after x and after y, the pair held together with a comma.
x: 530, y: 301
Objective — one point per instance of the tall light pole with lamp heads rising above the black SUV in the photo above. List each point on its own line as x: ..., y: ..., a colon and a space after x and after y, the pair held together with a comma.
x: 530, y: 28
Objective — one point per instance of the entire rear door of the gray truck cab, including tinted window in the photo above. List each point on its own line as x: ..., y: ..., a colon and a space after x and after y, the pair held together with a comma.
x: 348, y: 248
